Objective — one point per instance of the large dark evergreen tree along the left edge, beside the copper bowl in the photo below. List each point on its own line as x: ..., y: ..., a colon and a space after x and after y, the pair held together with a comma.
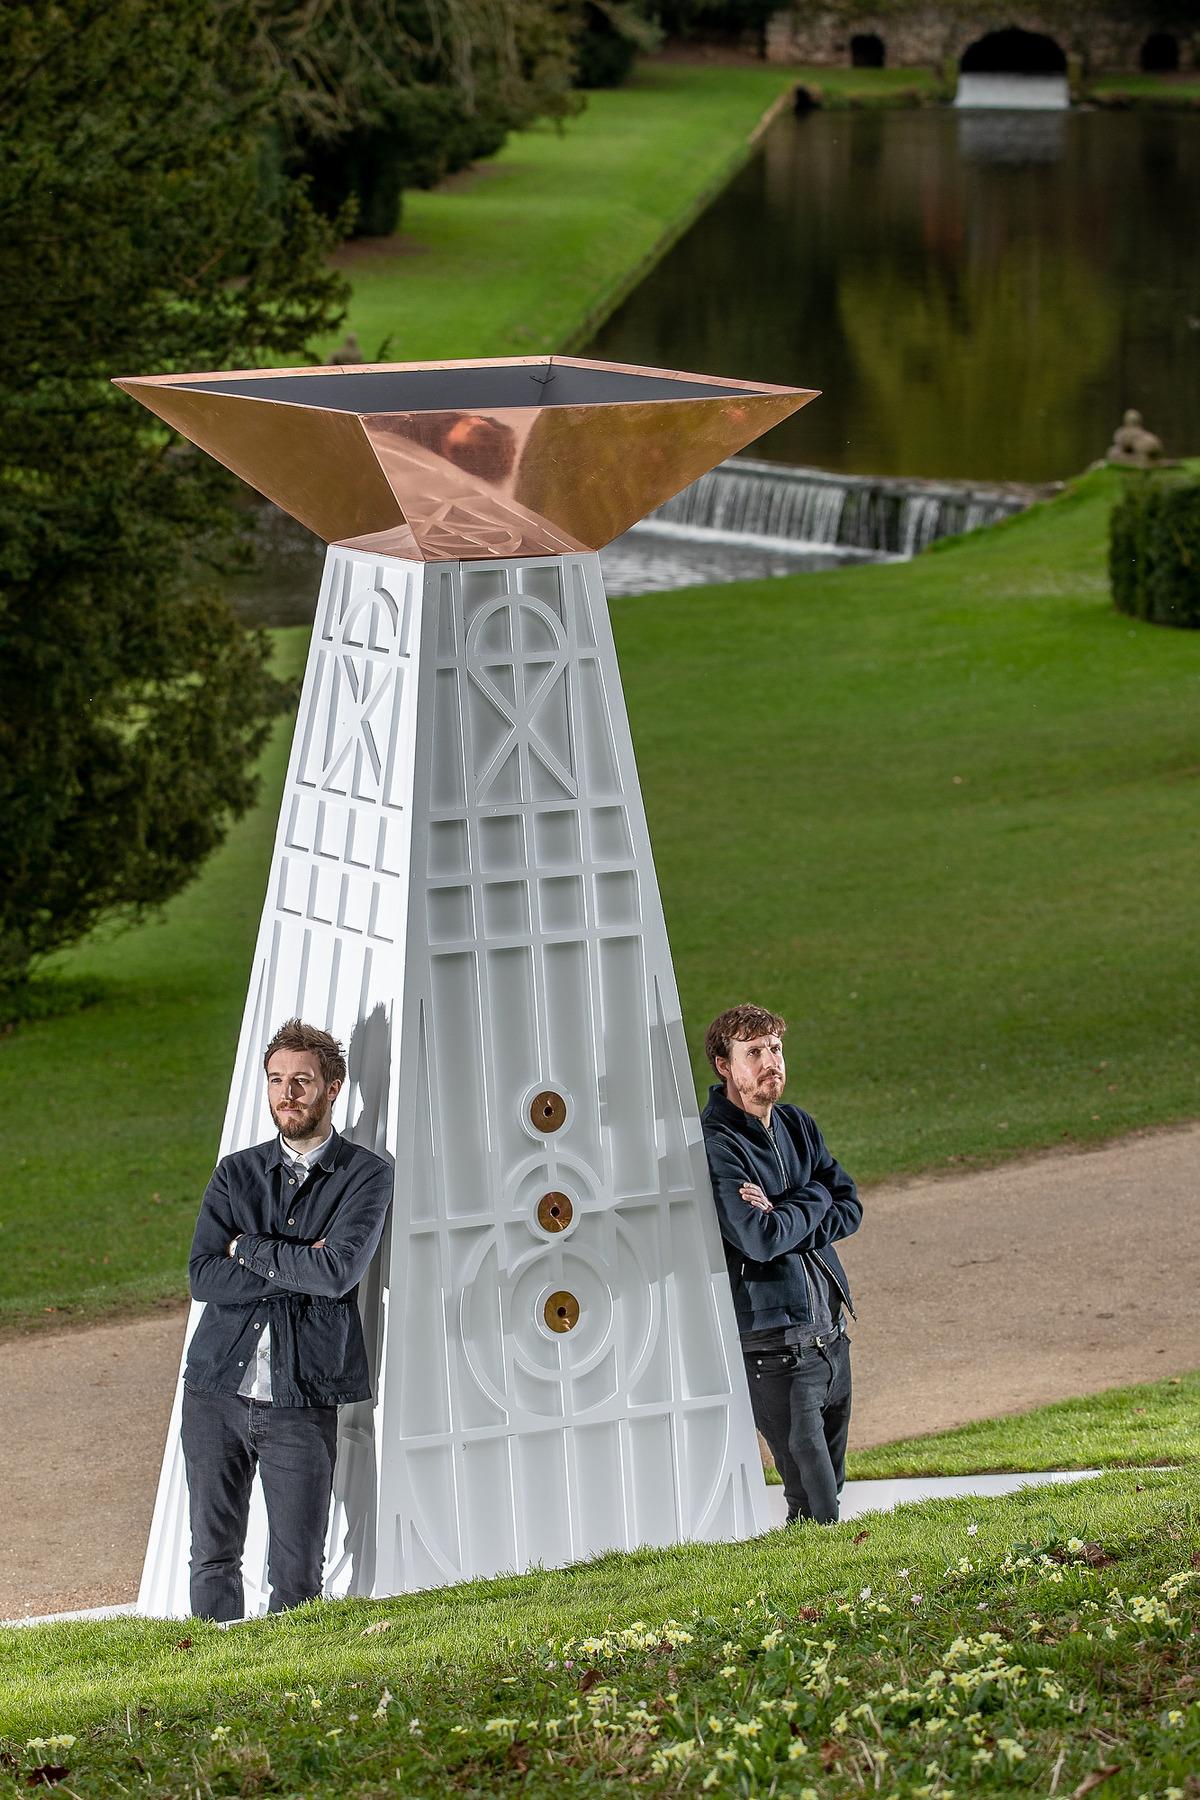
x: 141, y: 229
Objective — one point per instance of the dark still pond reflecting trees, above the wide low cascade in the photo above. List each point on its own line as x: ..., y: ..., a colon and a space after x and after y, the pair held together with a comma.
x: 978, y: 294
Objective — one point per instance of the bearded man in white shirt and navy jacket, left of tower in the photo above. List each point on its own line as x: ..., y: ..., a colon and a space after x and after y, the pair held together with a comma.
x: 285, y: 1234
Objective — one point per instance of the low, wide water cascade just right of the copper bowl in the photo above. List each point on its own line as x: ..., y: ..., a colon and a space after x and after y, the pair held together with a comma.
x: 775, y: 505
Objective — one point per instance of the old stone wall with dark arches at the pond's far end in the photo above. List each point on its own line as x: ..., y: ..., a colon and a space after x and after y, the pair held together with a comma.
x: 1097, y: 37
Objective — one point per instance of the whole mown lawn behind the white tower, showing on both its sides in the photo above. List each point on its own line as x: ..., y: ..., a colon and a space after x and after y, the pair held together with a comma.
x: 942, y: 814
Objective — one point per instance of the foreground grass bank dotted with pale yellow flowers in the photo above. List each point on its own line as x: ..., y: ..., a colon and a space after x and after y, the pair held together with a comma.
x: 987, y: 1648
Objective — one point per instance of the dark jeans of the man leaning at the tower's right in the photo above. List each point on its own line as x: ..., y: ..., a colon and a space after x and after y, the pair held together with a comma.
x: 801, y: 1405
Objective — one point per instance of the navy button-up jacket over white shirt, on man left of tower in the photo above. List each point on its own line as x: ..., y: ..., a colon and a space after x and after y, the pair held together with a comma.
x: 309, y: 1297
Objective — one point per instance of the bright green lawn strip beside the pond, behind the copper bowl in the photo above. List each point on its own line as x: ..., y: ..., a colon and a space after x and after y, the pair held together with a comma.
x: 530, y: 251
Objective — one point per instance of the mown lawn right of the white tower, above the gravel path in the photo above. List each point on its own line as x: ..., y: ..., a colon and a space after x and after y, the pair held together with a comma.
x: 945, y: 818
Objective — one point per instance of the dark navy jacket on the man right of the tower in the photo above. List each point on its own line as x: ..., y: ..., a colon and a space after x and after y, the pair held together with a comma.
x: 816, y: 1205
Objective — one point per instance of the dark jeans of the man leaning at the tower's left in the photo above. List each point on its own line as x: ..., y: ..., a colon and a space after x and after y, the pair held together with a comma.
x: 294, y: 1448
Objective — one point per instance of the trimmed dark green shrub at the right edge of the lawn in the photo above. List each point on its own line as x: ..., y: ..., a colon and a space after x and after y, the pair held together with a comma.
x: 1154, y: 550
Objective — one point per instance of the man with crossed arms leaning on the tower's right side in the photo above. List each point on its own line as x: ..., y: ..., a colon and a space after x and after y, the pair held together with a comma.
x: 784, y: 1203
